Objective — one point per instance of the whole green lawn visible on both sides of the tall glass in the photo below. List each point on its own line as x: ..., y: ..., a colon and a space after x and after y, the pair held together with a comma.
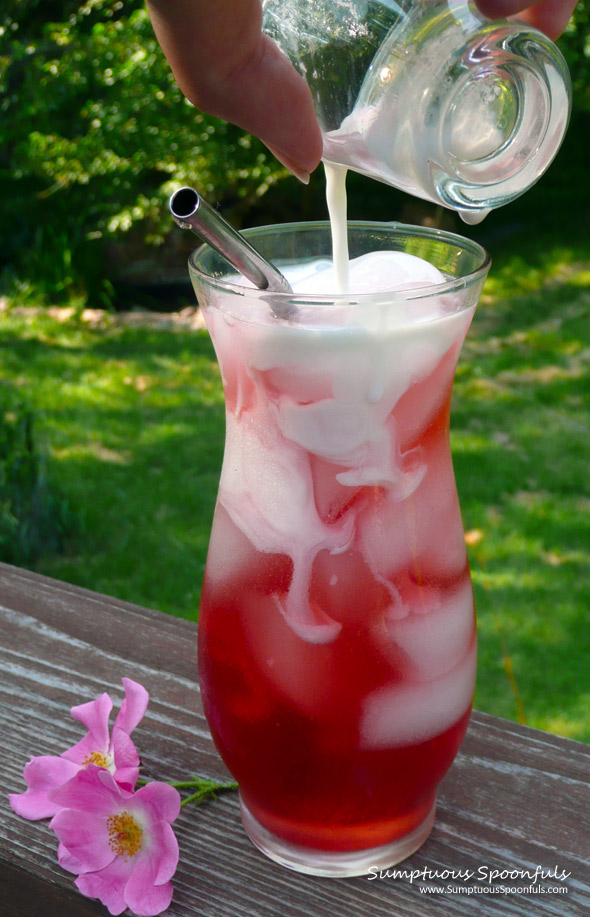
x: 133, y: 422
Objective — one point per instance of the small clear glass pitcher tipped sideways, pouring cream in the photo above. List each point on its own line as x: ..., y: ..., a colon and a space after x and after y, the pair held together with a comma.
x: 428, y: 95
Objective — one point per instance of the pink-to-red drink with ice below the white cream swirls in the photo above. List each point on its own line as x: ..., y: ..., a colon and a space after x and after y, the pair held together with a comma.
x: 340, y: 745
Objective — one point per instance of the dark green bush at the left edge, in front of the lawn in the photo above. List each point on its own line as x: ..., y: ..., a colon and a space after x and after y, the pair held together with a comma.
x: 32, y: 518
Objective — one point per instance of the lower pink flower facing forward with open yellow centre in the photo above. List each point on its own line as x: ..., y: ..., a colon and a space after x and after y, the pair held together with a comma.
x: 120, y: 844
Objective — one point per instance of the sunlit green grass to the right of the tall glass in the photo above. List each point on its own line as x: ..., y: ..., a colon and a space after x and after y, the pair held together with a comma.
x: 522, y: 460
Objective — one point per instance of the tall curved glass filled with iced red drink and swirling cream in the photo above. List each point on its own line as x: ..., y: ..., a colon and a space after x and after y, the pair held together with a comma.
x: 337, y: 644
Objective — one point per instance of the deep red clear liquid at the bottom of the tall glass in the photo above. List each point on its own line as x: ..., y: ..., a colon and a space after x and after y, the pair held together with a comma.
x: 303, y: 776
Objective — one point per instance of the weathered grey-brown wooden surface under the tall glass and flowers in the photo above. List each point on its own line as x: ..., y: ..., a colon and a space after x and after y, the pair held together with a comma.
x: 515, y: 799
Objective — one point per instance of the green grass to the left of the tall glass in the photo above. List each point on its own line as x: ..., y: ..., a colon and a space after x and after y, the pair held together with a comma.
x: 133, y: 420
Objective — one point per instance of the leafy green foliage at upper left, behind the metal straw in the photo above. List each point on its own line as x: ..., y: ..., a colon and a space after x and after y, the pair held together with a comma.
x: 112, y: 136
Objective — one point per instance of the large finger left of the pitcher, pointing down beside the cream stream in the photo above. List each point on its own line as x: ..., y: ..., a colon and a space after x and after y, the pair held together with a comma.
x: 228, y: 68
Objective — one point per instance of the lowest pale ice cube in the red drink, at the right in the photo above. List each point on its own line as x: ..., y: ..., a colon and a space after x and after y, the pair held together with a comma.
x: 404, y: 715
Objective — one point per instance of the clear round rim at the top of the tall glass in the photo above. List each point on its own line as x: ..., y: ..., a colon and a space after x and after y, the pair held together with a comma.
x: 346, y: 299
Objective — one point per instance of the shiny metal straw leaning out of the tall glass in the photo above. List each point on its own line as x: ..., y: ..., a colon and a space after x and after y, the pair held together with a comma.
x: 192, y: 212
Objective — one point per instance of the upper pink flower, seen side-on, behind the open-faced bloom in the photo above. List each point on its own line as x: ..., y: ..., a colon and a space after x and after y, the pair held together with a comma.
x: 116, y: 753
